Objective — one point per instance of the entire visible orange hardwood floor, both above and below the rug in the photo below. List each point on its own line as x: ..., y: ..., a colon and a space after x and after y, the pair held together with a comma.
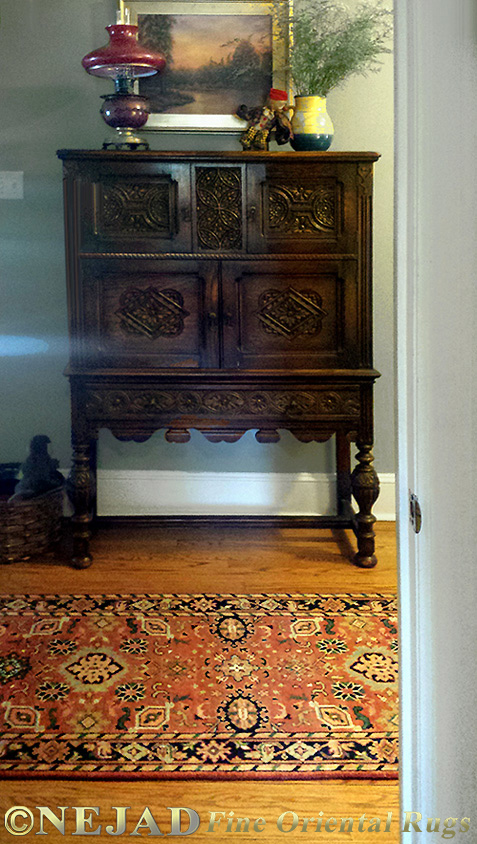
x: 192, y: 559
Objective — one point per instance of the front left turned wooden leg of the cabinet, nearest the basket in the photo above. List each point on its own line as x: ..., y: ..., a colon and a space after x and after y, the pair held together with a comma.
x: 80, y: 487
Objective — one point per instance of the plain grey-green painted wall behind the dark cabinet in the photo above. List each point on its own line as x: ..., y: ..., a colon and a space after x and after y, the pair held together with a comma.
x: 48, y: 102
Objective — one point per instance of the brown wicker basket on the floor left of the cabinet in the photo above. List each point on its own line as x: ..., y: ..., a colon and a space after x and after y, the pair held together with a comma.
x: 29, y: 526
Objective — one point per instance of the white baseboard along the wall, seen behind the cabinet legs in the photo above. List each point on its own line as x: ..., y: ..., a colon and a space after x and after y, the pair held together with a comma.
x: 158, y: 493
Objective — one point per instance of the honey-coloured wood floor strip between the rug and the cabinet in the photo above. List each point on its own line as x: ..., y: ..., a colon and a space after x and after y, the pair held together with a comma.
x: 223, y: 560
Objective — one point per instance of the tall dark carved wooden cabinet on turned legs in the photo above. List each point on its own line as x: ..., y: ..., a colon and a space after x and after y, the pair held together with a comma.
x: 223, y: 292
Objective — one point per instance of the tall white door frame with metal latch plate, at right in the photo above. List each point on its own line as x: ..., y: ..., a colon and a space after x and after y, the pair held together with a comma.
x: 436, y: 321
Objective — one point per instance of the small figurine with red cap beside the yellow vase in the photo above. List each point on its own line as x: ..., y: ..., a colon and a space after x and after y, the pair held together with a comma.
x: 263, y: 120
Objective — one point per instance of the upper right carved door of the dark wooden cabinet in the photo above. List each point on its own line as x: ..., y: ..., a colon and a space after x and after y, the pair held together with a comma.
x: 297, y: 208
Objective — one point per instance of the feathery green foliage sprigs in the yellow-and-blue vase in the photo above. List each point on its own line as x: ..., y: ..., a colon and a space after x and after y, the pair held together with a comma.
x: 328, y: 42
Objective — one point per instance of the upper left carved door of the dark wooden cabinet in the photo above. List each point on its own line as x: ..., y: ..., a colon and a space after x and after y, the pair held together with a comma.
x: 143, y: 210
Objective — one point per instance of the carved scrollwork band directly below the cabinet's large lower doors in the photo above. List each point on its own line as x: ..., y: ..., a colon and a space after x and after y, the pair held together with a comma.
x: 287, y: 404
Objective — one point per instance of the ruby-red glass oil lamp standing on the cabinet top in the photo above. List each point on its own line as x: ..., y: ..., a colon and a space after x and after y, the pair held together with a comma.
x: 123, y: 60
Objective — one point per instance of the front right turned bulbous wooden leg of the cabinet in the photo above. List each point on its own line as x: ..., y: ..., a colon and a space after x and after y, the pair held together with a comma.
x: 365, y: 487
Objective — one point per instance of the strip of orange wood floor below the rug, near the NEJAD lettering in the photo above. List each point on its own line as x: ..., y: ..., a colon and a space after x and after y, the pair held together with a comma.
x: 263, y: 800
